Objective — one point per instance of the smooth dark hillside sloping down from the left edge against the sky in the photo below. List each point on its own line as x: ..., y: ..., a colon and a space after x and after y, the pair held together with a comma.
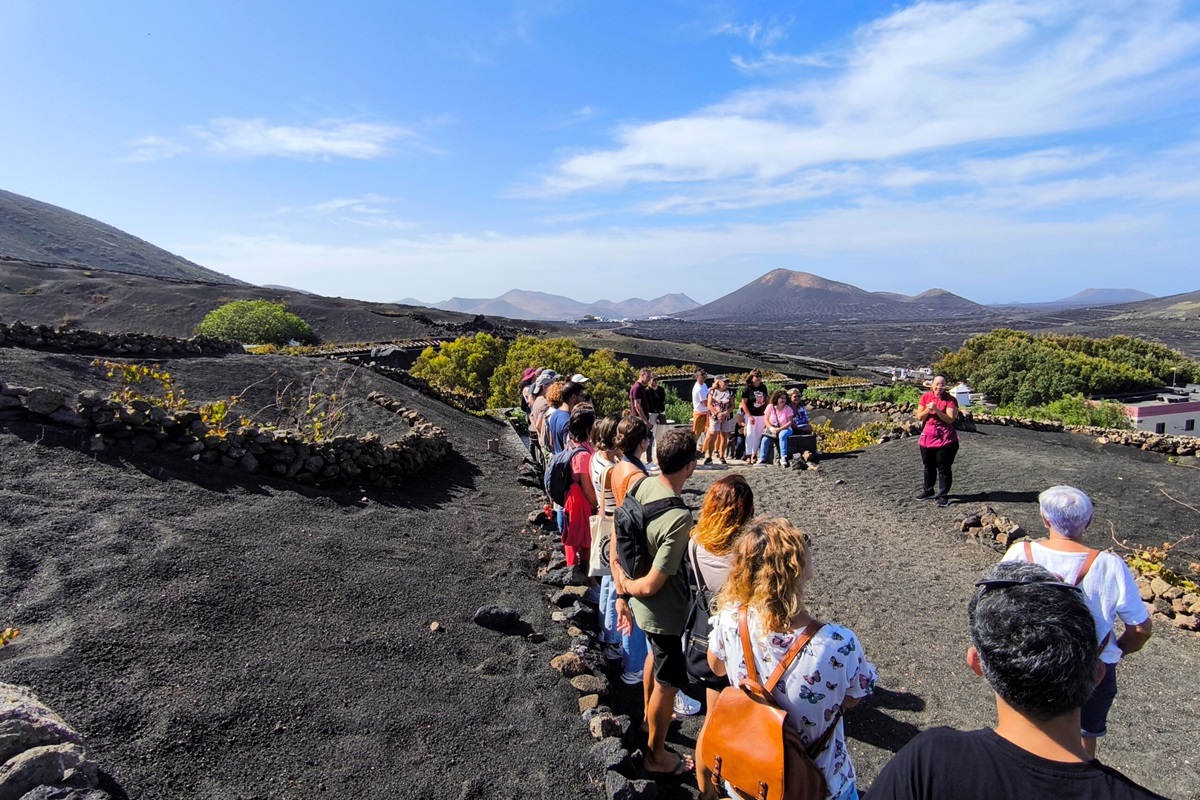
x: 33, y: 231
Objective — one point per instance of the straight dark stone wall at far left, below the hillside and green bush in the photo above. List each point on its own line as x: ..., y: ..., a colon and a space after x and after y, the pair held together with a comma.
x: 134, y: 345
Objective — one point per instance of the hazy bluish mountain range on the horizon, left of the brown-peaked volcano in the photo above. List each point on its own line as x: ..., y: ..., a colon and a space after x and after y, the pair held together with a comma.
x: 542, y: 306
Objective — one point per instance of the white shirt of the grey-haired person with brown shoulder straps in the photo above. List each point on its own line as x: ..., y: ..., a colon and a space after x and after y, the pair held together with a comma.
x: 1109, y: 590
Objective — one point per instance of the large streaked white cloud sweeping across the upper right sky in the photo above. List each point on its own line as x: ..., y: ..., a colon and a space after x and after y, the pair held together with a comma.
x: 932, y: 77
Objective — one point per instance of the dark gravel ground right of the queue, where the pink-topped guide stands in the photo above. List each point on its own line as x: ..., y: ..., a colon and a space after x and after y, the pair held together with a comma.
x: 891, y: 569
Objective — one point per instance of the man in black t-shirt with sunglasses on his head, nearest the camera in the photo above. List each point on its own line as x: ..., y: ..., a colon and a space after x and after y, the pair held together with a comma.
x: 1034, y: 640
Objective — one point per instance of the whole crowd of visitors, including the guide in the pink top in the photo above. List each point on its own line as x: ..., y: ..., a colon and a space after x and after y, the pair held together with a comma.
x: 723, y: 601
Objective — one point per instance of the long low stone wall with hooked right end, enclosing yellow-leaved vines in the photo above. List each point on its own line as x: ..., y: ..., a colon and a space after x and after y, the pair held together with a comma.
x: 145, y: 428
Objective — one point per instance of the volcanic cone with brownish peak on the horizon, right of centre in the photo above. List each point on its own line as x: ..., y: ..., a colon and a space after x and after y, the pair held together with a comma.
x: 784, y: 296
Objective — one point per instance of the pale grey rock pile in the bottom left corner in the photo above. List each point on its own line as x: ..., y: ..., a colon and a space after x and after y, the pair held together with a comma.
x: 41, y: 756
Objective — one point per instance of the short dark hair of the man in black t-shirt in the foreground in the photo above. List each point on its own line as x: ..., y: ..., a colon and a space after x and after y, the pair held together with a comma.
x: 1037, y: 643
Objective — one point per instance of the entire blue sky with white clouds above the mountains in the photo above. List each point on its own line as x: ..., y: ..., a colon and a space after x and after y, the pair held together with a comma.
x: 1001, y: 149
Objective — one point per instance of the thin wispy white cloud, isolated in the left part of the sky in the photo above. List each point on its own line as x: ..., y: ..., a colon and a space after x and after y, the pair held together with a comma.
x: 256, y: 139
